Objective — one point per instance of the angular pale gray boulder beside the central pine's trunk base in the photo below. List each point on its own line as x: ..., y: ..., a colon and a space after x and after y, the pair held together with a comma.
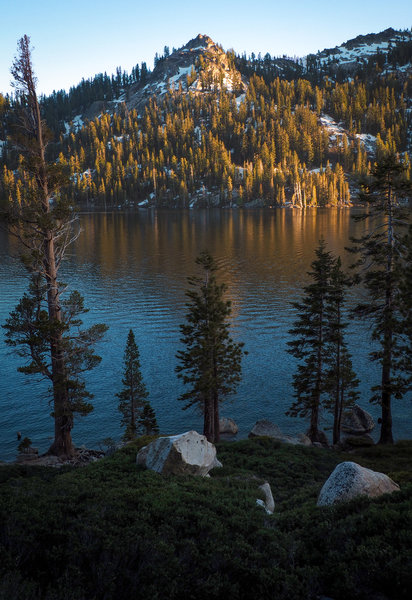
x: 186, y: 454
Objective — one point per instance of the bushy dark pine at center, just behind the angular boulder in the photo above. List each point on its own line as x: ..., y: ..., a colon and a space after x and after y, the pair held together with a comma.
x: 211, y: 361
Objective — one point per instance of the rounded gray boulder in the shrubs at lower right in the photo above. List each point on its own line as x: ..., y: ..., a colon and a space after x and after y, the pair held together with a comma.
x: 350, y: 480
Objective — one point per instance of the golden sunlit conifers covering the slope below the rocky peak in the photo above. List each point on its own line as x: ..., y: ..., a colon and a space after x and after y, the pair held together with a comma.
x: 268, y: 143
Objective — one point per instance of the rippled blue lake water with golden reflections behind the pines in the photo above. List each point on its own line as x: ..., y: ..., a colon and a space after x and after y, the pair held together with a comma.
x: 132, y: 268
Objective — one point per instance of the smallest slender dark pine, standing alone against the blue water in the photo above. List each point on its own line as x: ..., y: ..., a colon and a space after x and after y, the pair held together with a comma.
x: 132, y: 398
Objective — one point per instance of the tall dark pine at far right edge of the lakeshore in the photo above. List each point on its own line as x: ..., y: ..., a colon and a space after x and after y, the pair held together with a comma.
x: 381, y: 252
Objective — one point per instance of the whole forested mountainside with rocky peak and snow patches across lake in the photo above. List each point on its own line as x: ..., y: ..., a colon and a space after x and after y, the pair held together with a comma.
x: 208, y: 127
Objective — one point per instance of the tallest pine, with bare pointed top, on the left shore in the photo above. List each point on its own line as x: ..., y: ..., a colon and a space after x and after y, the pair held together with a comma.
x: 39, y: 327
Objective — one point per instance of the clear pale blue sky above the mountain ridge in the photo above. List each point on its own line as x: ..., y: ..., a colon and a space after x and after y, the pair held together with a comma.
x: 83, y: 37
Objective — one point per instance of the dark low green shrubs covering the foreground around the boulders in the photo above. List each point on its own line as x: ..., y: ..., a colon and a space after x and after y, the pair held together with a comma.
x: 111, y: 530
